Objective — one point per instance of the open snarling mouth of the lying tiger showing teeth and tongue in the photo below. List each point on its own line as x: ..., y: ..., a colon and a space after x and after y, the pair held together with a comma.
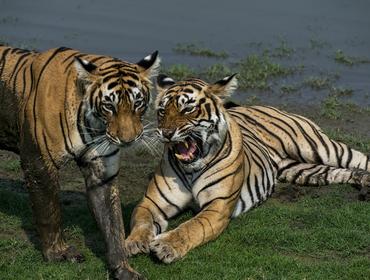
x: 187, y: 151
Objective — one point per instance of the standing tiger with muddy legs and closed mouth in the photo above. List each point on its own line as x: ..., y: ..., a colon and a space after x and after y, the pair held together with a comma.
x: 60, y: 105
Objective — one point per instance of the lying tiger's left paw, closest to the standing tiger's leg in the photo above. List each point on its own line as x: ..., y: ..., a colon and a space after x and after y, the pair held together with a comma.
x: 138, y: 242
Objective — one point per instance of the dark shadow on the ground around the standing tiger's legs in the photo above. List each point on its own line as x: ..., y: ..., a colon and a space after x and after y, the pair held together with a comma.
x: 77, y: 219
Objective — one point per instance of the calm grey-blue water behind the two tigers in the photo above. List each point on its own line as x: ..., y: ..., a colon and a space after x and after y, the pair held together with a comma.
x: 131, y: 29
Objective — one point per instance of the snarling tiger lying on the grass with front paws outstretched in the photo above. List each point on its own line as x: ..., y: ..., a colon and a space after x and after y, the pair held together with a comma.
x: 227, y: 159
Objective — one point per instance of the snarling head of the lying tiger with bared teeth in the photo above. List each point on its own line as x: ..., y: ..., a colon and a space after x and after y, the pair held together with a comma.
x: 191, y: 117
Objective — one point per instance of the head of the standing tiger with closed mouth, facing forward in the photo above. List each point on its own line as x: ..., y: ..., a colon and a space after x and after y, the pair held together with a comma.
x: 116, y: 95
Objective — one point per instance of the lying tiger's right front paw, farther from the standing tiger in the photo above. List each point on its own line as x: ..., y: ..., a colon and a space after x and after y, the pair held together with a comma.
x: 167, y: 248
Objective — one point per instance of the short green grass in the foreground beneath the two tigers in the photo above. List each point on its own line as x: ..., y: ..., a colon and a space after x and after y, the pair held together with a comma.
x: 323, y: 235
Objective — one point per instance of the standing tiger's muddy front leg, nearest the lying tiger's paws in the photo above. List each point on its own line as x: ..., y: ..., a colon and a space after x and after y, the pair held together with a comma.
x: 104, y: 200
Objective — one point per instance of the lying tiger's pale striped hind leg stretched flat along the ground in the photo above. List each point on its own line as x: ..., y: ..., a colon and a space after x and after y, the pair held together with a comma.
x: 315, y: 174
